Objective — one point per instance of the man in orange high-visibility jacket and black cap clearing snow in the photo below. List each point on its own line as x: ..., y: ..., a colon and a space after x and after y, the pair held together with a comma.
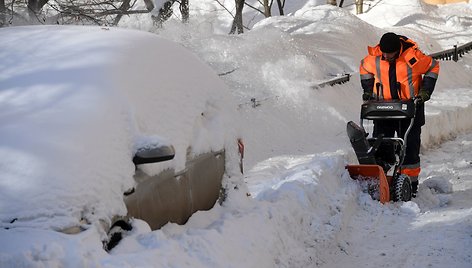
x: 399, y: 70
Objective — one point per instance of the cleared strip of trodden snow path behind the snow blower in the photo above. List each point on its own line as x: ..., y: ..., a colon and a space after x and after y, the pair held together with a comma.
x: 431, y: 231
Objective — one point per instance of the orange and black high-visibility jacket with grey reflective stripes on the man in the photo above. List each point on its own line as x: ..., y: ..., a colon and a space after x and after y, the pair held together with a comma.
x: 402, y: 79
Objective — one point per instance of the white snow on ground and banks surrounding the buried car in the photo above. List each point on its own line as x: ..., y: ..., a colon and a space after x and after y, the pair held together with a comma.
x: 297, y: 206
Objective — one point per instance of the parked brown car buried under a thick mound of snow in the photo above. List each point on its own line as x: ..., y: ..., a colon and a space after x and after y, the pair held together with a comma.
x: 105, y: 124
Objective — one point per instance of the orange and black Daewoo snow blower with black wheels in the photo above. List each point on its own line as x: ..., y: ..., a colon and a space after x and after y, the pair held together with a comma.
x: 380, y: 158
